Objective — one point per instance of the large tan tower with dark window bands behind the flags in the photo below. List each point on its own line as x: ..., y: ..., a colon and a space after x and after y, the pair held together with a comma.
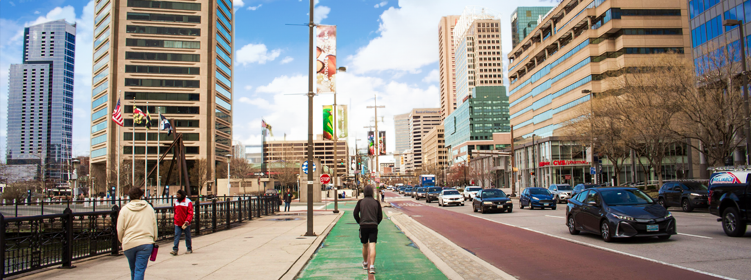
x: 173, y: 58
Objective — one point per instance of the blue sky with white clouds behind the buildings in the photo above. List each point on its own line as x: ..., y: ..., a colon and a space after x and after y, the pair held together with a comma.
x: 390, y: 49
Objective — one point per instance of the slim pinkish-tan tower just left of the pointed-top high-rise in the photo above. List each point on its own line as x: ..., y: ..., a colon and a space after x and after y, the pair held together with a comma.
x: 446, y: 67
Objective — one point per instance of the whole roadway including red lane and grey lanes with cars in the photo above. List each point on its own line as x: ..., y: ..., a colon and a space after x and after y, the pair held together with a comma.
x: 532, y: 244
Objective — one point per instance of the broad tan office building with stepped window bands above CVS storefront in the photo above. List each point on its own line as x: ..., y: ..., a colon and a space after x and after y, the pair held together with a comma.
x: 575, y: 48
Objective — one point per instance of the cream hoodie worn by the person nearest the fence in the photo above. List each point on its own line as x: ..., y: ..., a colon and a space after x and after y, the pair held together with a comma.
x: 136, y: 224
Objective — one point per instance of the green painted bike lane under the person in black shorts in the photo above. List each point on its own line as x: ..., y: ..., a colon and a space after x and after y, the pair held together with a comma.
x: 340, y: 255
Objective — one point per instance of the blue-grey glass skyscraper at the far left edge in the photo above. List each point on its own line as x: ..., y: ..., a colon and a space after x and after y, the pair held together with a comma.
x: 40, y: 99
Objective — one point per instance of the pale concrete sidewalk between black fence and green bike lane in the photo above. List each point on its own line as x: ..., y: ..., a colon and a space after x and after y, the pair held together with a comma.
x: 265, y: 248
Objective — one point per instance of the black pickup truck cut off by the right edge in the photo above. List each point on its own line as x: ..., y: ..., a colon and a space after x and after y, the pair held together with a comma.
x: 730, y: 198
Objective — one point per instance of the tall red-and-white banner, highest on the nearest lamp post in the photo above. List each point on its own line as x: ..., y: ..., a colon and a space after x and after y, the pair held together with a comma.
x: 325, y: 64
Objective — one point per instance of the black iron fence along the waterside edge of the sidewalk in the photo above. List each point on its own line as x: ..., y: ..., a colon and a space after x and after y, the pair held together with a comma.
x: 34, y: 242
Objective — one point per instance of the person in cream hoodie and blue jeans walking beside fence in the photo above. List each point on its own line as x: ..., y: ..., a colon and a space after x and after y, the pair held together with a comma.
x: 137, y: 231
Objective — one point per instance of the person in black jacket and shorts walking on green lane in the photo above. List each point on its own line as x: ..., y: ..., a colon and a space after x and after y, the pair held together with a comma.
x: 368, y: 215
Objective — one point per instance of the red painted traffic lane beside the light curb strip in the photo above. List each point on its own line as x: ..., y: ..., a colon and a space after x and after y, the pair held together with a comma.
x: 530, y: 255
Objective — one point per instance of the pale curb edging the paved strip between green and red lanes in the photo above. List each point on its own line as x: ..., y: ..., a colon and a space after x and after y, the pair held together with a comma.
x: 445, y: 268
